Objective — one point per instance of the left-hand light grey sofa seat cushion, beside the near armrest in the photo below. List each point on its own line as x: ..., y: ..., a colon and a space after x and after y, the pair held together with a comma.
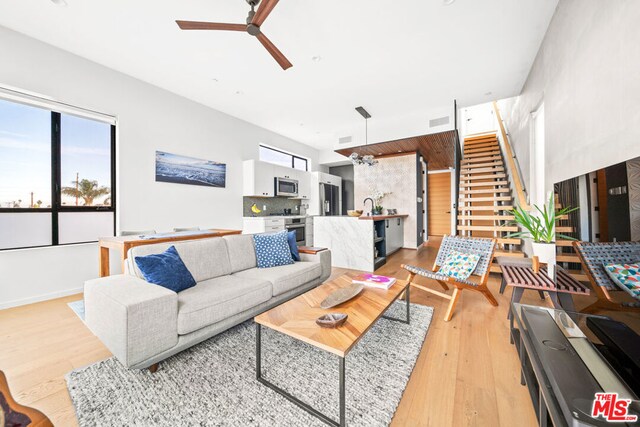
x: 217, y: 299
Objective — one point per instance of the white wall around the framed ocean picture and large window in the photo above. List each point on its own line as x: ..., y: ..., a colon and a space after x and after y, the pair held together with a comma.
x: 149, y: 119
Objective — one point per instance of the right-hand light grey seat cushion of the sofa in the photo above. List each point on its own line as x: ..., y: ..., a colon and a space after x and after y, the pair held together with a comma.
x: 285, y: 277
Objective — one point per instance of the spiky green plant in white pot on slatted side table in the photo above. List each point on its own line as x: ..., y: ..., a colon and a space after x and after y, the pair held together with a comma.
x: 540, y: 228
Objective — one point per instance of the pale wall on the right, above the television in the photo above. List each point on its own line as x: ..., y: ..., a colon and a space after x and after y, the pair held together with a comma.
x: 586, y: 72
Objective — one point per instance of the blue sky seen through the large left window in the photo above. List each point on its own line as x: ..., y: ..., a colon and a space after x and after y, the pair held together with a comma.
x: 25, y: 153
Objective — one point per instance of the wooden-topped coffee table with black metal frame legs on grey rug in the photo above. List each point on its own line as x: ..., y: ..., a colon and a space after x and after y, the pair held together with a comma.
x: 297, y: 318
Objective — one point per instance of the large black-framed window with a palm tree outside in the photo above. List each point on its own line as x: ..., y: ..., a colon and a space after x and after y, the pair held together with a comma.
x: 57, y: 177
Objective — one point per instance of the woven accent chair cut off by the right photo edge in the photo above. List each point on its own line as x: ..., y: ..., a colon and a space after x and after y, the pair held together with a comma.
x: 593, y: 256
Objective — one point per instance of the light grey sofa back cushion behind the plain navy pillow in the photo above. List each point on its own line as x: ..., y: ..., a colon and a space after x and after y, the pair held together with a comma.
x: 205, y: 258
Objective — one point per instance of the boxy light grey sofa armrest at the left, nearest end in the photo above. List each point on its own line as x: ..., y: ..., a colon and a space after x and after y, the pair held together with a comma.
x: 134, y: 319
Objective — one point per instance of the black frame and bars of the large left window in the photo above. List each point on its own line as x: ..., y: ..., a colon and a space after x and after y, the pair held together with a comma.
x: 56, y: 184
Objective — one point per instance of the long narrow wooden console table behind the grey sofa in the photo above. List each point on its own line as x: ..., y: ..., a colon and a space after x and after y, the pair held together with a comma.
x: 124, y: 243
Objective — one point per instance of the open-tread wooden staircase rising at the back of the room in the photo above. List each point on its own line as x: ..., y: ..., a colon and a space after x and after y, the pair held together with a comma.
x: 485, y: 196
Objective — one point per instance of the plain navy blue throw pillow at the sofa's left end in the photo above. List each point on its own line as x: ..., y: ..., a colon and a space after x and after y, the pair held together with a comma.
x: 166, y: 269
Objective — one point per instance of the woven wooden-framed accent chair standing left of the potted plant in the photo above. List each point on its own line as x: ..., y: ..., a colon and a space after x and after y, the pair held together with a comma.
x: 482, y: 247
